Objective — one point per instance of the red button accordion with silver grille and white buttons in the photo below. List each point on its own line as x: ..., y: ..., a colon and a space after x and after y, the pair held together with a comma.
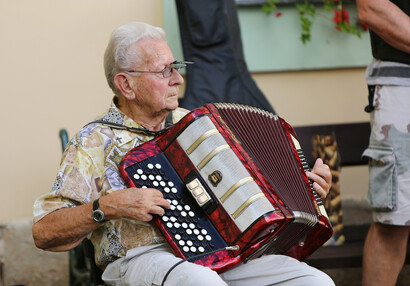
x: 235, y: 178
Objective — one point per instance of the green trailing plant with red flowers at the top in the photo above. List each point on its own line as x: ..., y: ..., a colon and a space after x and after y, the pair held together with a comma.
x: 307, y: 13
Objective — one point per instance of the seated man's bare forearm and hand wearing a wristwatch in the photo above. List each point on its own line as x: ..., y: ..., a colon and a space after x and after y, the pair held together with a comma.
x: 65, y: 228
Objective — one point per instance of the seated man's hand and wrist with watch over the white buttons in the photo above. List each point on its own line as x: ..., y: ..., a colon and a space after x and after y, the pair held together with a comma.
x: 133, y: 203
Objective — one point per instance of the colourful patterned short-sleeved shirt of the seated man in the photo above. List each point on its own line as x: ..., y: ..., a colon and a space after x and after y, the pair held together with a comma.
x: 89, y: 169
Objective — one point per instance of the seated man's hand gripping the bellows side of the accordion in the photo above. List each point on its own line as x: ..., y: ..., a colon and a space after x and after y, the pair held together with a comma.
x: 322, y: 178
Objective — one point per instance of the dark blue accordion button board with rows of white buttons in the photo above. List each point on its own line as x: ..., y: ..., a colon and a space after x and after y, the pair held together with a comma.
x: 184, y: 222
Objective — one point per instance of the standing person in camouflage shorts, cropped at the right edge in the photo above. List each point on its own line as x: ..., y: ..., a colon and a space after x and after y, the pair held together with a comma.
x: 388, y: 77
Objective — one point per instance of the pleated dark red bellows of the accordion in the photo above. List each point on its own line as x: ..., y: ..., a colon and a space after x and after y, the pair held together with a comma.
x: 262, y: 135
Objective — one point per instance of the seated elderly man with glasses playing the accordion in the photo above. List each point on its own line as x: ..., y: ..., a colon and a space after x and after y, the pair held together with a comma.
x: 143, y: 74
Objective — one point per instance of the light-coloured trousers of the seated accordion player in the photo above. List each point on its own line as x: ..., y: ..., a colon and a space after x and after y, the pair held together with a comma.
x: 148, y: 266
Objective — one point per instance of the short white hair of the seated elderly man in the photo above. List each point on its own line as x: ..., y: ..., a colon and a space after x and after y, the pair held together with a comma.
x: 118, y: 57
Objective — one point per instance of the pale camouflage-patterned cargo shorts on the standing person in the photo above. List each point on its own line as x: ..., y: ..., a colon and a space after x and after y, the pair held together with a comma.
x: 389, y: 156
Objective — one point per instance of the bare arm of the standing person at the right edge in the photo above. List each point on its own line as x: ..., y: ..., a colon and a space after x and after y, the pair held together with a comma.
x: 387, y: 20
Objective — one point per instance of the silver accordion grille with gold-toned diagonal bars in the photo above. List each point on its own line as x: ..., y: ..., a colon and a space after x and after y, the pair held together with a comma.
x: 238, y: 192
